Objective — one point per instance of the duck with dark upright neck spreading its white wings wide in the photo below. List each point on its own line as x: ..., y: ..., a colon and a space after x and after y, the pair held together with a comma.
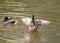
x: 34, y: 24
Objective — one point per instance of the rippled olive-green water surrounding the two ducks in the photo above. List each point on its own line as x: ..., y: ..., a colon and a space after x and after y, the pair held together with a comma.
x: 41, y: 9
